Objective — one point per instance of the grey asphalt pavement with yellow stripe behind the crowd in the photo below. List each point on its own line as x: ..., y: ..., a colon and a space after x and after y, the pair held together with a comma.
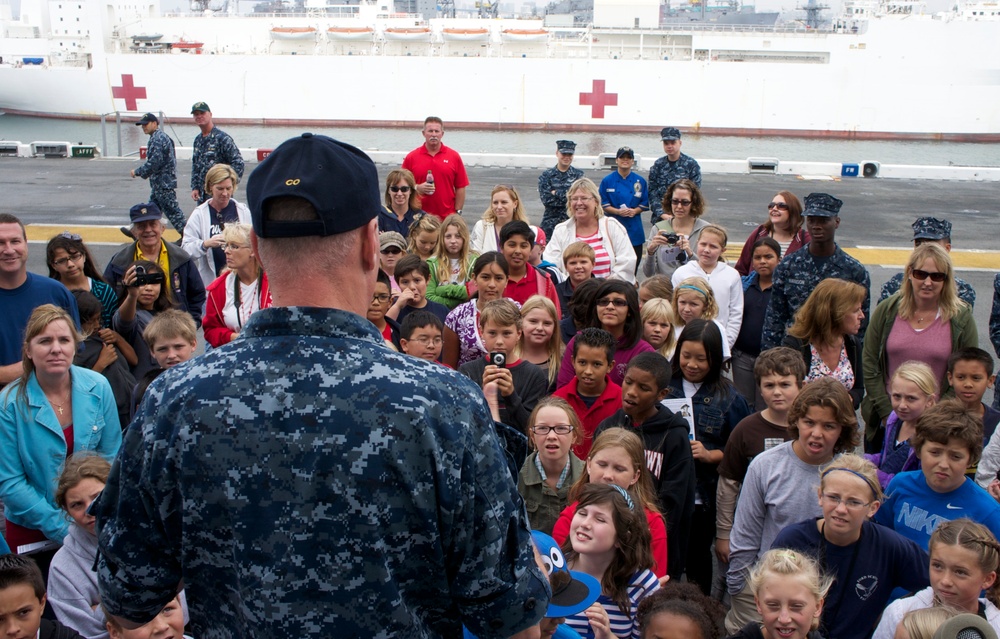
x: 93, y: 197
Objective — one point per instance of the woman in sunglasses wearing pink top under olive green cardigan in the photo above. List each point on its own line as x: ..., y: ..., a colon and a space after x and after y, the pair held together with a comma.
x: 924, y: 321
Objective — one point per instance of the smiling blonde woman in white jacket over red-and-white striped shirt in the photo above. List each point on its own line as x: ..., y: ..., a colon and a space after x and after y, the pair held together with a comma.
x: 615, y: 256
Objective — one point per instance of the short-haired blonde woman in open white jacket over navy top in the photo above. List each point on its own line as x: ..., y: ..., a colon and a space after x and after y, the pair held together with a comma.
x: 203, y: 231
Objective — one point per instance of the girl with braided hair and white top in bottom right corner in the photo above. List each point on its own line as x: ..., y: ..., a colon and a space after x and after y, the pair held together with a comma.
x: 964, y: 560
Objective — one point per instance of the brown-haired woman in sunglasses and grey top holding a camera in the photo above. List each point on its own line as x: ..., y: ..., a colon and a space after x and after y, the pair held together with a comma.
x: 672, y: 241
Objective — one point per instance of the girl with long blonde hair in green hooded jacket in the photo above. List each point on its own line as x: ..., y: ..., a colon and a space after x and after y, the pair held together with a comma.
x: 451, y: 264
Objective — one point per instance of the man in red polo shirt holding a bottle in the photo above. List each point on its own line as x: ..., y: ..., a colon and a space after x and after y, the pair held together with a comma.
x: 446, y: 193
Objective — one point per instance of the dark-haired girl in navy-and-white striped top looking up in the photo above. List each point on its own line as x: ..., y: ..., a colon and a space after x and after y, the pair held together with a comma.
x: 609, y: 540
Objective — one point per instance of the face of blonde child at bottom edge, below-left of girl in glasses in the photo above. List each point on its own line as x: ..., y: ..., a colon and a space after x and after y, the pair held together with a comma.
x: 787, y: 607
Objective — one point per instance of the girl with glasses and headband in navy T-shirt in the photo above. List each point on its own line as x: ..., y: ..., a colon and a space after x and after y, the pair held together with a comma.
x: 868, y: 560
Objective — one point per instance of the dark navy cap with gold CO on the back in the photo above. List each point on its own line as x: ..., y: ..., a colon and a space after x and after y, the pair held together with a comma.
x: 339, y: 180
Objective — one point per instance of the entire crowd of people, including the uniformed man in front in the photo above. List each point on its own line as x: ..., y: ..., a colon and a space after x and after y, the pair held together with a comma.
x: 365, y: 443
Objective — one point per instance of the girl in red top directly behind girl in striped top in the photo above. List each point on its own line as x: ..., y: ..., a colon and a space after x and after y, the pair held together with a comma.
x: 618, y: 457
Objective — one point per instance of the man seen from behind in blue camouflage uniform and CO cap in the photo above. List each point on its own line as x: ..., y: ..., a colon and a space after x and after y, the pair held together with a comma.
x: 305, y: 477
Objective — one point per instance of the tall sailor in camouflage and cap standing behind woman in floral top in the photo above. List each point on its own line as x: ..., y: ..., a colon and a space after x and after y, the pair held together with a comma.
x: 799, y: 273
